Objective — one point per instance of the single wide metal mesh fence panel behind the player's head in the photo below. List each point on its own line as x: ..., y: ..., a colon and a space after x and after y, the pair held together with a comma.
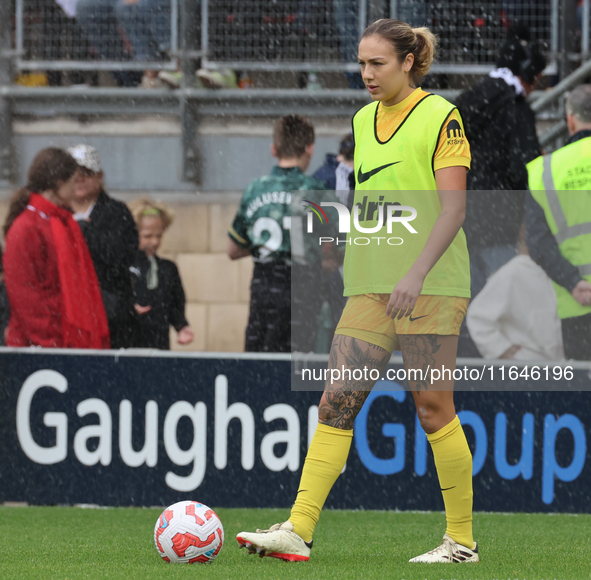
x: 323, y: 34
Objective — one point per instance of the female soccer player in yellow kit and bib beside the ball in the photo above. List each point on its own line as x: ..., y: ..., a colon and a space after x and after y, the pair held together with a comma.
x: 410, y: 151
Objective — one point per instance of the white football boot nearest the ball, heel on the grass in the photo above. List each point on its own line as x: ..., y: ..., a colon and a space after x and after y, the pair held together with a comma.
x: 279, y: 541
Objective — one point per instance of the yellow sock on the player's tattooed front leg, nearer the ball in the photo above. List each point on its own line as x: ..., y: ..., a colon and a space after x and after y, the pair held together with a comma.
x: 325, y: 460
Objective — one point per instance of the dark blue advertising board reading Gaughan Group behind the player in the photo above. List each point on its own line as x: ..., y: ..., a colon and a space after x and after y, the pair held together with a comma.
x: 152, y: 429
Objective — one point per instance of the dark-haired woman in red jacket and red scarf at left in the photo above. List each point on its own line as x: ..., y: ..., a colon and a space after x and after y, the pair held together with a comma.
x: 52, y: 288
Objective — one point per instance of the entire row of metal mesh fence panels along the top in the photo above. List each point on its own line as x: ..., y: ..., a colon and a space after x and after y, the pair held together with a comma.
x: 266, y: 34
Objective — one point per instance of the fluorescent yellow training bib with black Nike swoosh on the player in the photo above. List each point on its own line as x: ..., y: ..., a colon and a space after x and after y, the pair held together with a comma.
x: 380, y: 252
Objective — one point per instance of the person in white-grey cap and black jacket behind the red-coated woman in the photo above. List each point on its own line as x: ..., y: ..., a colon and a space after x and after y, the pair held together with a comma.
x: 111, y: 235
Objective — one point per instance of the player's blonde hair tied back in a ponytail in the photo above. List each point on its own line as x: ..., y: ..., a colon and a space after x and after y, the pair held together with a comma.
x: 420, y: 42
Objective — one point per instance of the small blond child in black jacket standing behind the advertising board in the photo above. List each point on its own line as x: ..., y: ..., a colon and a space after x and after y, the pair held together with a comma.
x: 159, y: 294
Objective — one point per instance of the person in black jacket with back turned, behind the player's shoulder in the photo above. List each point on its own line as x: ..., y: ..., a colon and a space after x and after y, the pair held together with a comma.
x: 501, y: 129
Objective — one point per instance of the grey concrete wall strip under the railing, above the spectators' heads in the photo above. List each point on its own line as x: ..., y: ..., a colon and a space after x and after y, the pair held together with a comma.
x: 146, y: 153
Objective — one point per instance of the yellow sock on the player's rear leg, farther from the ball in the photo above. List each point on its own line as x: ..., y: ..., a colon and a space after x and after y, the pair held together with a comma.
x: 453, y: 461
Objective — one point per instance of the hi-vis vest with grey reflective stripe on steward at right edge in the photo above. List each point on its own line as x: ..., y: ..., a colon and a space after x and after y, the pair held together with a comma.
x: 561, y: 184
